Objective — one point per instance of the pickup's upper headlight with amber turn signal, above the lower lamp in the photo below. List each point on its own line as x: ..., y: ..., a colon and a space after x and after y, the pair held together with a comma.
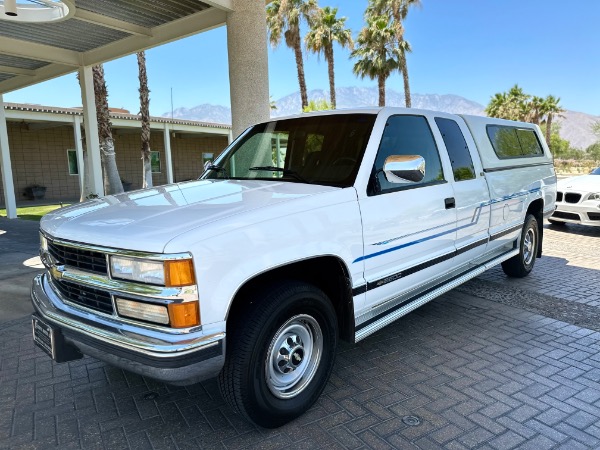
x: 170, y: 273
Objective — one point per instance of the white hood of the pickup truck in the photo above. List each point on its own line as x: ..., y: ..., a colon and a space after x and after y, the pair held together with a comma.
x: 148, y: 219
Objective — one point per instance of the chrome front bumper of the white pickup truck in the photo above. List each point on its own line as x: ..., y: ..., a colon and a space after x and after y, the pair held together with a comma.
x: 172, y: 356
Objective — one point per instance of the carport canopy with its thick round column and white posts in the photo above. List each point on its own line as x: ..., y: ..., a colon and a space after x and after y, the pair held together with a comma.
x: 44, y: 39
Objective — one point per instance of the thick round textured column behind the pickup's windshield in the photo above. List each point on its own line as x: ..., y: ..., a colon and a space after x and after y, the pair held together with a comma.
x: 248, y: 64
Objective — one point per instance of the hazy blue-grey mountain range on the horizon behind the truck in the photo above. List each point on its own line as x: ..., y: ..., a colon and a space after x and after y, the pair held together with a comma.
x: 574, y: 126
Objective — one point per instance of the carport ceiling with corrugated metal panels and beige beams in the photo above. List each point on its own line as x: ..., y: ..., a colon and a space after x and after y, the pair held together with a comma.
x: 98, y: 31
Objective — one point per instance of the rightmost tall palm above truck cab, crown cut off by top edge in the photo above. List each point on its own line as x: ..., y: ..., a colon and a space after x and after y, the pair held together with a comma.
x: 398, y: 10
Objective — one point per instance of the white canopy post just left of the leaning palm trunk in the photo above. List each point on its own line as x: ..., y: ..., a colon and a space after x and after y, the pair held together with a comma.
x: 90, y: 121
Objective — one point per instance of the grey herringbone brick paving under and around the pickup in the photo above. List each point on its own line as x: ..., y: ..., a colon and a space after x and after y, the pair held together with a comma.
x: 494, y: 364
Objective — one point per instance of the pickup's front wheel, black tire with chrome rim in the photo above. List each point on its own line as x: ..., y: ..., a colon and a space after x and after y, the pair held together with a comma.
x: 287, y: 320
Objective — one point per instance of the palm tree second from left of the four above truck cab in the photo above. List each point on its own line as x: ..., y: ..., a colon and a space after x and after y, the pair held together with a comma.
x: 326, y: 29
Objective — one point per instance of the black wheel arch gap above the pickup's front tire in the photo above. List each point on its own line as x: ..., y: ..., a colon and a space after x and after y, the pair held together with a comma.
x: 329, y: 273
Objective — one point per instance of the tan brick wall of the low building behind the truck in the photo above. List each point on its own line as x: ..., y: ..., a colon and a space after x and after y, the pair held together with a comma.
x: 40, y: 157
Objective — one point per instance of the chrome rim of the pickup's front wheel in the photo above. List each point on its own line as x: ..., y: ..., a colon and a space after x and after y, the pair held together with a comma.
x: 293, y: 356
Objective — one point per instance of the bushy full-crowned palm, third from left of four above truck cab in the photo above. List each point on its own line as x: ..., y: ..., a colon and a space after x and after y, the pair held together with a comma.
x: 376, y: 52
